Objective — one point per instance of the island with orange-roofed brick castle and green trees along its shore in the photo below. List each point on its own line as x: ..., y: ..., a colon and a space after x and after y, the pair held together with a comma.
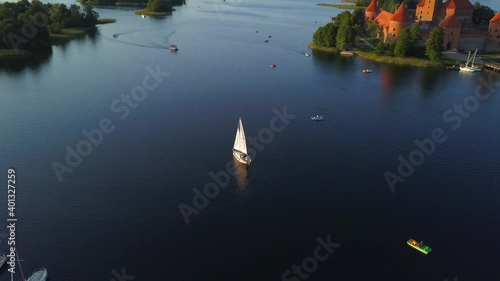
x: 429, y: 37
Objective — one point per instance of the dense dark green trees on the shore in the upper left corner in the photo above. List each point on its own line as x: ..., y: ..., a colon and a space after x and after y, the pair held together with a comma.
x: 27, y: 26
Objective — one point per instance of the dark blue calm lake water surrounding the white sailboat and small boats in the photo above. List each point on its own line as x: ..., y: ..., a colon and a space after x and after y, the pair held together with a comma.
x: 118, y: 210
